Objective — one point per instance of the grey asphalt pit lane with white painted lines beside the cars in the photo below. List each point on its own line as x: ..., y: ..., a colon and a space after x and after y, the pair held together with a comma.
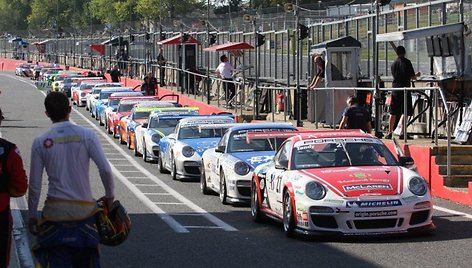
x: 174, y: 225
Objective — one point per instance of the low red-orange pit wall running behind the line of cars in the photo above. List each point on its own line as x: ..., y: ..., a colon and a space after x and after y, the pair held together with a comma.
x: 424, y: 160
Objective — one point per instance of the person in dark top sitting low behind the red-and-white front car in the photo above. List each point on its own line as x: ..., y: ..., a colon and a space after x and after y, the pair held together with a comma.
x: 355, y: 116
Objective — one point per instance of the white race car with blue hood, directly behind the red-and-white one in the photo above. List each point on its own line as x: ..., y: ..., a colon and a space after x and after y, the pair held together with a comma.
x: 227, y: 168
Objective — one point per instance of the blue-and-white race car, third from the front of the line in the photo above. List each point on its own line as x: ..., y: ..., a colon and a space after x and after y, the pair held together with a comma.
x: 180, y: 152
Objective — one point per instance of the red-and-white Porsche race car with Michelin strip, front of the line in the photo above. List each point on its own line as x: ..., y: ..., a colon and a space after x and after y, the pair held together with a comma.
x: 341, y: 182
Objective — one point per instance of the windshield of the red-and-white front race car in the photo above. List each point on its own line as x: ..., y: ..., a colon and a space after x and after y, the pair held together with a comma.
x: 335, y: 153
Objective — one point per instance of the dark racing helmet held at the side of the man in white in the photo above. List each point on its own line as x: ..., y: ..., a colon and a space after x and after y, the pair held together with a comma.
x: 113, y: 223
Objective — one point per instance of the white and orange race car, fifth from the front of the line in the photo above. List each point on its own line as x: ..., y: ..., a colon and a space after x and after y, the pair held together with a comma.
x: 139, y: 114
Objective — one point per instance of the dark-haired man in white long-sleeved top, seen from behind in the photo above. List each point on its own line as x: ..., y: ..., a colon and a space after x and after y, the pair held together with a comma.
x: 65, y: 238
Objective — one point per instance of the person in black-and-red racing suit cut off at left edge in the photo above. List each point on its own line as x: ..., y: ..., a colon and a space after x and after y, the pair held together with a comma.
x: 13, y: 183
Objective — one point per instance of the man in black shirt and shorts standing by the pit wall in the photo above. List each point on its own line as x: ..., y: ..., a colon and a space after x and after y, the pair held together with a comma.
x: 403, y: 73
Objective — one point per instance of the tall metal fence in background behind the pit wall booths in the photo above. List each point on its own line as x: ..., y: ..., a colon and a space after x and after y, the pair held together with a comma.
x: 275, y: 60
